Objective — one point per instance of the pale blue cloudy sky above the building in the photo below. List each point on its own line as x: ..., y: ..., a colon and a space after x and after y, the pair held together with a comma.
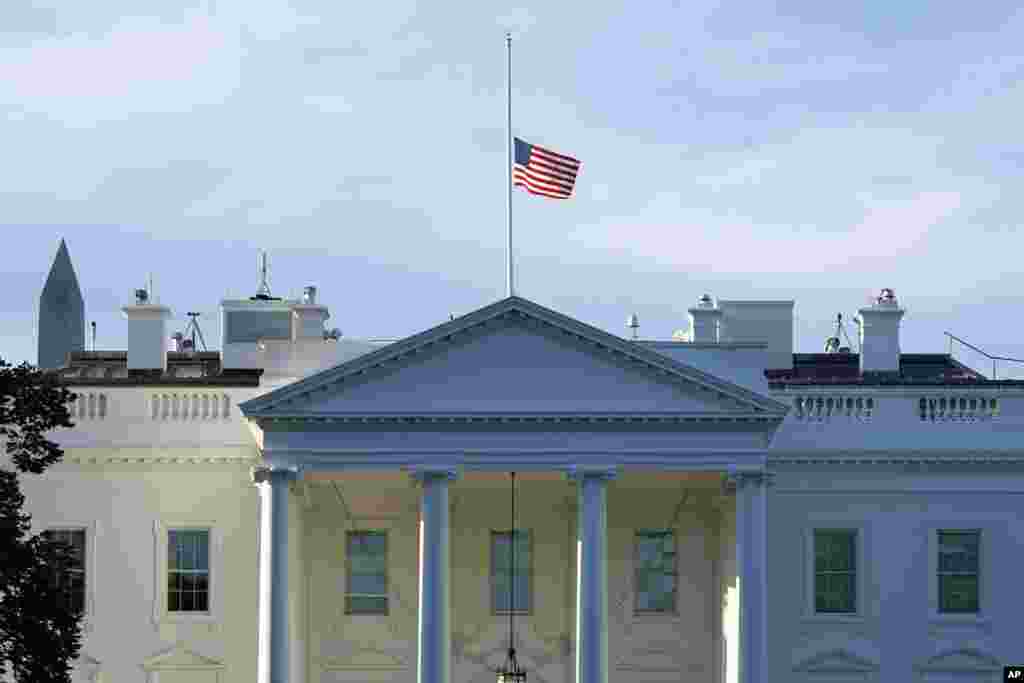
x: 803, y: 150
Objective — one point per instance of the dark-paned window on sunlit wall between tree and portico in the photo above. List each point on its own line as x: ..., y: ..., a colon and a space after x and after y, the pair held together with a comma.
x: 188, y: 571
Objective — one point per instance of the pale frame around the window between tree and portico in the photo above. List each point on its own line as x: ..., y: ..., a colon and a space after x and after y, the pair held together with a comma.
x: 160, y: 541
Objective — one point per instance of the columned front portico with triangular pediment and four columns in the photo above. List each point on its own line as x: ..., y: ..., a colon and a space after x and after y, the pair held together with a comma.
x: 518, y: 388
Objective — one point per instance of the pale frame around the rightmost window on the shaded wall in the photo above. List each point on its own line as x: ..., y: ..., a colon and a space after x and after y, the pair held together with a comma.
x: 989, y: 533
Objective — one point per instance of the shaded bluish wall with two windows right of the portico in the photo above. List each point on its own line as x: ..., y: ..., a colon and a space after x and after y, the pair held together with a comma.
x: 899, y: 635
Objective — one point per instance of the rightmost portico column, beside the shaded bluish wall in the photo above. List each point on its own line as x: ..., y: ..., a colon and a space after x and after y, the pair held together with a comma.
x: 752, y: 568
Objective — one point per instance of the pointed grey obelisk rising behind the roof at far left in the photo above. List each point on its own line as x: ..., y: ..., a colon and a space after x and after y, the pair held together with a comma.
x: 62, y: 314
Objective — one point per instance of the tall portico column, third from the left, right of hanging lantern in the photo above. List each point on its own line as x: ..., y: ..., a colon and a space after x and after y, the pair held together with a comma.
x: 592, y: 576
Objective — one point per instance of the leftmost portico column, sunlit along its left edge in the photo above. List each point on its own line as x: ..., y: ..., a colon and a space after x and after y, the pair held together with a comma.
x: 277, y: 547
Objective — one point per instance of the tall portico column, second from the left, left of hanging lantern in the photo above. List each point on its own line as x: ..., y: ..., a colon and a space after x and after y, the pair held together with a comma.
x: 435, y: 633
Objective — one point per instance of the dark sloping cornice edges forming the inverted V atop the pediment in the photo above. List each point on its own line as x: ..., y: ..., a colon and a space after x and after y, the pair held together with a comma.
x: 279, y: 401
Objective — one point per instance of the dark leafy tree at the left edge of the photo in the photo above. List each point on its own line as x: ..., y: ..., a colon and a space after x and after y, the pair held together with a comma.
x: 39, y: 630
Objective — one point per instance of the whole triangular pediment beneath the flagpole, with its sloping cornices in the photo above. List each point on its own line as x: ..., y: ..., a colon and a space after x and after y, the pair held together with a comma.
x: 511, y: 358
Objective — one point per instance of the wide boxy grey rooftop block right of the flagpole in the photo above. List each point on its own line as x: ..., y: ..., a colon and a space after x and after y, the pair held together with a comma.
x: 770, y: 323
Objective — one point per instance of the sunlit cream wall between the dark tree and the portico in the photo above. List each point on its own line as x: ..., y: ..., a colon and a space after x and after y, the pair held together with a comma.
x: 125, y: 507
